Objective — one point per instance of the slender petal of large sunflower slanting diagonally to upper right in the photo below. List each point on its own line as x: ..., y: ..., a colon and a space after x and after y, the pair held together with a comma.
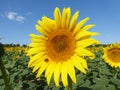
x: 80, y: 25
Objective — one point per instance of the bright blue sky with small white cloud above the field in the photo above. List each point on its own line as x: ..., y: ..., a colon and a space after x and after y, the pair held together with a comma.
x: 18, y: 17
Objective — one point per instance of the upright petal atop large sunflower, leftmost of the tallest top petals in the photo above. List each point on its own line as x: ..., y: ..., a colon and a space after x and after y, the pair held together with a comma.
x: 57, y: 16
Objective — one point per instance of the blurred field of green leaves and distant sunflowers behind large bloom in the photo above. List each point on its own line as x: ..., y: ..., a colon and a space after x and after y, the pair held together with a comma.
x: 99, y: 76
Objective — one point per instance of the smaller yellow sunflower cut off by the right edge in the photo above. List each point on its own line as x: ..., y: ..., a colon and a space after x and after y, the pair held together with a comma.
x: 112, y: 55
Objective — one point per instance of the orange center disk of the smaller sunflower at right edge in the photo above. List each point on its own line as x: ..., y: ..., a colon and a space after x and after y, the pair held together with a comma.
x: 114, y: 54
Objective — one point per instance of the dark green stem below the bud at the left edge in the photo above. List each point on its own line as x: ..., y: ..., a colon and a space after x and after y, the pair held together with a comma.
x: 4, y: 75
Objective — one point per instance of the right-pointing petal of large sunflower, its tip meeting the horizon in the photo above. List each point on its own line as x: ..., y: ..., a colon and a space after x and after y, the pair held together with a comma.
x: 86, y: 42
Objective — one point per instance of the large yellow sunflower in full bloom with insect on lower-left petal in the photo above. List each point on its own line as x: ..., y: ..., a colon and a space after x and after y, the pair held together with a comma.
x: 61, y: 46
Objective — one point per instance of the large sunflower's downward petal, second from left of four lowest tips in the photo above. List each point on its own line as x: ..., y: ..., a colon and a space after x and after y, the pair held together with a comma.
x: 57, y: 73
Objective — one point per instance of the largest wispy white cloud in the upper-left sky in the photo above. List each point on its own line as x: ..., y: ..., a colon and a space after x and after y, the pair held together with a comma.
x: 15, y: 16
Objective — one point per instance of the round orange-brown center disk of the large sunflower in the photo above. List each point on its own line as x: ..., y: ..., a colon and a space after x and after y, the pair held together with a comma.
x: 60, y: 45
